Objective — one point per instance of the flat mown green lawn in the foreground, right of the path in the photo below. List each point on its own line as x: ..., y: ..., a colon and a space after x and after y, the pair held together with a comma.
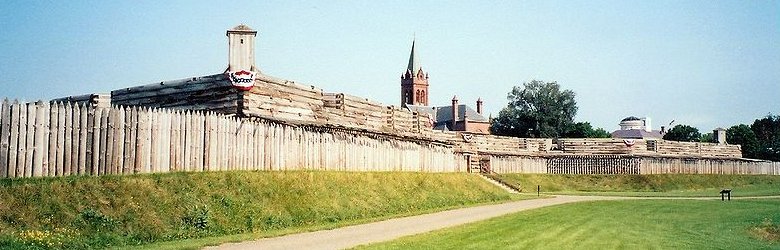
x: 635, y: 224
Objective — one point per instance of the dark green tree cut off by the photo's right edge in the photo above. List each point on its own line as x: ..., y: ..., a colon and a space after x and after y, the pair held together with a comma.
x: 767, y: 132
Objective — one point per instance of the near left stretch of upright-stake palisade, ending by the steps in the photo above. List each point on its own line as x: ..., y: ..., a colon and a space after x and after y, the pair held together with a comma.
x: 43, y: 139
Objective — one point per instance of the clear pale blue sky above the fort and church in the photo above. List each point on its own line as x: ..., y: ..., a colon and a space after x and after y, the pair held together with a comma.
x: 702, y: 63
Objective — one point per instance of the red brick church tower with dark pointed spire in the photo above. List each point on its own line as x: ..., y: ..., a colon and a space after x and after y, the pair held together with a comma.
x: 414, y: 83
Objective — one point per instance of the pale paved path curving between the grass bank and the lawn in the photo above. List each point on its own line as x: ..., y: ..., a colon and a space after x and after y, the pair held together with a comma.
x: 352, y: 236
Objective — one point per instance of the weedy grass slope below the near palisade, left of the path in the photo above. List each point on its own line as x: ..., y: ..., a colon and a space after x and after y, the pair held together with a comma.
x: 97, y: 212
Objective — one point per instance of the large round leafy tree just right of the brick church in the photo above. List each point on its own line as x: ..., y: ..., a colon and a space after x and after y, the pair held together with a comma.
x: 537, y: 109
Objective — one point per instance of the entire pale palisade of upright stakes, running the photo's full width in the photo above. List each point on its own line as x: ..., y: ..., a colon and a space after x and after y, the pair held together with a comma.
x: 61, y: 139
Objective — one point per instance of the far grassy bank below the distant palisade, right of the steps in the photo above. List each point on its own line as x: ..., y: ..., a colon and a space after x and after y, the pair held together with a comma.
x: 678, y: 185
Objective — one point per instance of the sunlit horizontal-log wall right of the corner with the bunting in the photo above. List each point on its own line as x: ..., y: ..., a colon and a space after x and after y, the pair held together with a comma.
x: 279, y: 99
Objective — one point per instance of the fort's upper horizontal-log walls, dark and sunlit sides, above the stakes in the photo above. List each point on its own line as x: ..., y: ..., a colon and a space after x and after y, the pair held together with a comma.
x: 283, y: 100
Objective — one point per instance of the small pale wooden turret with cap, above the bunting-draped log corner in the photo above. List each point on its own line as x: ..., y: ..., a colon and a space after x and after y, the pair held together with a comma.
x: 241, y: 49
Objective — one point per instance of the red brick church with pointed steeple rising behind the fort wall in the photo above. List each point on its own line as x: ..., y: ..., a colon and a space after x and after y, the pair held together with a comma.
x: 454, y: 117
